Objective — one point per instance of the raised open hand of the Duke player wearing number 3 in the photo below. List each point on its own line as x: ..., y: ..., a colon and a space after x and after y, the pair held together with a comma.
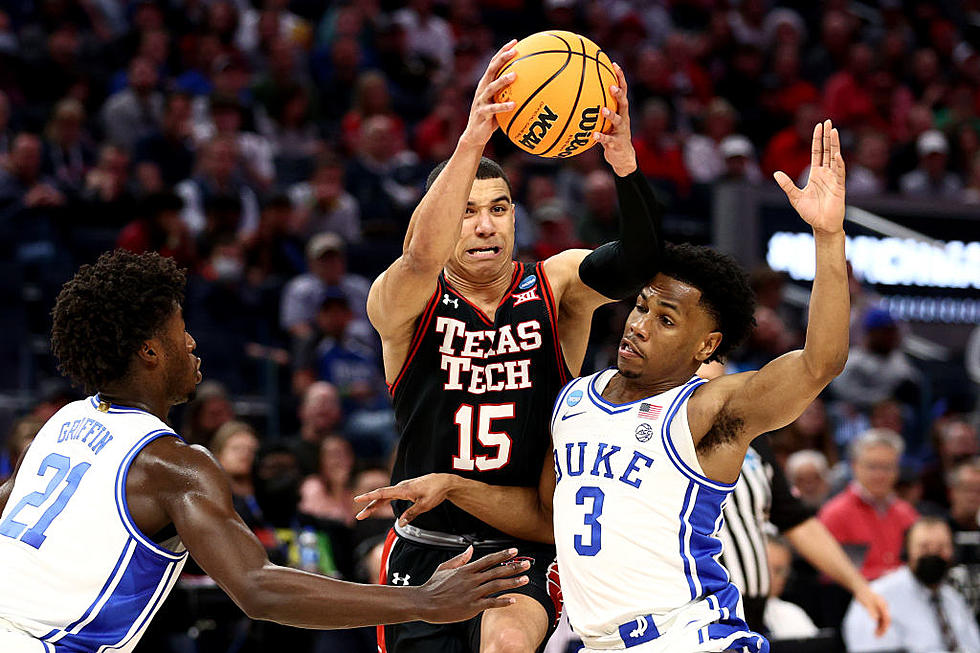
x: 821, y: 202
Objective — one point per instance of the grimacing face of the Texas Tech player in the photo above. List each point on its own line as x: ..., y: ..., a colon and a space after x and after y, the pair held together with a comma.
x: 486, y: 239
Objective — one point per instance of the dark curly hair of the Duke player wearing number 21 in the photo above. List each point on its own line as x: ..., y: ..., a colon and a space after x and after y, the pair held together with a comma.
x: 108, y: 309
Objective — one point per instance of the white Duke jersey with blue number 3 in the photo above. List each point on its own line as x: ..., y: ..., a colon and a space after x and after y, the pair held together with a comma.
x: 636, y: 521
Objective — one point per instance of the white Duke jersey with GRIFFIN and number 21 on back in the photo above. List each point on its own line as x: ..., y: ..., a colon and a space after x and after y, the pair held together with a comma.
x: 75, y: 571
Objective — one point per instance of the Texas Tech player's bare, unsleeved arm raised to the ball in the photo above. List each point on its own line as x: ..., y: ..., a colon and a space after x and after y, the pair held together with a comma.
x: 400, y: 293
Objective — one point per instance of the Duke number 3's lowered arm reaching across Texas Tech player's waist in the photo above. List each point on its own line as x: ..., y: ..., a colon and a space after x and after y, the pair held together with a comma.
x: 523, y: 512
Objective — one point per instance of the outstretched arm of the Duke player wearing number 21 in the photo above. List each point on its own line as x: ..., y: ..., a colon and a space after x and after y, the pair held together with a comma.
x: 192, y: 491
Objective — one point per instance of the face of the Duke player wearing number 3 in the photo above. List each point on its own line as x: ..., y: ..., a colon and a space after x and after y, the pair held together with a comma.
x: 668, y: 333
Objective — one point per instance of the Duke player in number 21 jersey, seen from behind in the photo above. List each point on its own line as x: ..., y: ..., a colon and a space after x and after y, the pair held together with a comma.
x: 108, y: 501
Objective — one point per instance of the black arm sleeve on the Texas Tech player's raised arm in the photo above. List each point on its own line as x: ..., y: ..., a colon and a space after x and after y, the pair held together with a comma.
x: 618, y: 270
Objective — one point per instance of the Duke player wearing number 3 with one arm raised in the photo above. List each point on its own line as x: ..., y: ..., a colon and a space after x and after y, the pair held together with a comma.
x: 645, y: 455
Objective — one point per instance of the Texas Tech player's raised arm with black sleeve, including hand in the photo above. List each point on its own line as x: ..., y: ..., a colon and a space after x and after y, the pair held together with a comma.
x: 584, y: 280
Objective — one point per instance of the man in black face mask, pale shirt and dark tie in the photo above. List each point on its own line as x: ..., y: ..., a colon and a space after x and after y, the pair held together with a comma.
x: 927, y: 613
